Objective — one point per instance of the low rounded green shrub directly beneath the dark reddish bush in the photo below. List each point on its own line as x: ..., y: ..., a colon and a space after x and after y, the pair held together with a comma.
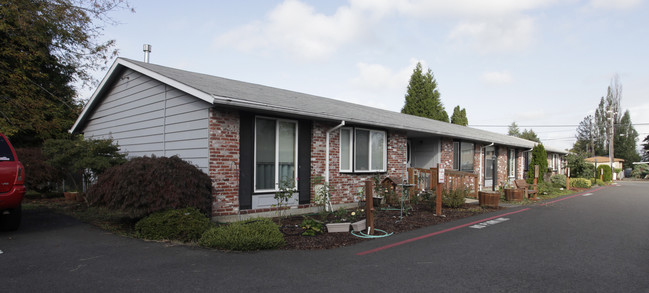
x: 186, y: 225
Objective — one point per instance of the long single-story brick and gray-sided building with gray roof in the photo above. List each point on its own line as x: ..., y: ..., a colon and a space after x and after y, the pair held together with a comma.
x: 248, y: 137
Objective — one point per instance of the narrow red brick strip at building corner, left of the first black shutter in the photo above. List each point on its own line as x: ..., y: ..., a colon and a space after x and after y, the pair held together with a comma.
x: 224, y: 160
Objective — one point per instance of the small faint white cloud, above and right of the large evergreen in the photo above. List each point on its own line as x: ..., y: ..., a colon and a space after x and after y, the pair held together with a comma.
x: 491, y: 36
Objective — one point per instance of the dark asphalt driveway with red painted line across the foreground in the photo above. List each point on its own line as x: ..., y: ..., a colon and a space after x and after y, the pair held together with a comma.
x: 596, y: 241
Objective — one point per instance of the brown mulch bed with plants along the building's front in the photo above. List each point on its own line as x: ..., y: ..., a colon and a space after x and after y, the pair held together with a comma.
x: 388, y: 220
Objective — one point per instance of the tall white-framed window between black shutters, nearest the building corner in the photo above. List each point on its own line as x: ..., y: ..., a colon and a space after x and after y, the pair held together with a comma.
x: 275, y: 153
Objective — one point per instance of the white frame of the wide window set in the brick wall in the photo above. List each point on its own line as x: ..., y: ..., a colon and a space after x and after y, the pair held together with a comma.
x: 353, y: 152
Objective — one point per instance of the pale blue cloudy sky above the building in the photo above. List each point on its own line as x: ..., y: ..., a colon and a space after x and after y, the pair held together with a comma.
x: 533, y: 62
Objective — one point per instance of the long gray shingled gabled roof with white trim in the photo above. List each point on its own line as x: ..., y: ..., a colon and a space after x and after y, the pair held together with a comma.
x: 238, y: 94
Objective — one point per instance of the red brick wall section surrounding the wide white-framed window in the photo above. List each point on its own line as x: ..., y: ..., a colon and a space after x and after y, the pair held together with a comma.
x: 345, y: 186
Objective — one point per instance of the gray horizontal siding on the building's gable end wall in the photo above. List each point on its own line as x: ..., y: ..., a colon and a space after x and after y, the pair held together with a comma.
x: 147, y: 117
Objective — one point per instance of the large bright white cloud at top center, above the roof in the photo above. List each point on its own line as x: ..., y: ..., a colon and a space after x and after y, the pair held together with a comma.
x: 298, y: 29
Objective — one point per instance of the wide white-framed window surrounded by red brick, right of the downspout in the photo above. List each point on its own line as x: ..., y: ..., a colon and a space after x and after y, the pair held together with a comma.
x: 369, y: 150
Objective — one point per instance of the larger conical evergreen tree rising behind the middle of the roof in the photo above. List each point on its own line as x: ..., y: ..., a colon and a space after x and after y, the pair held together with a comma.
x: 423, y: 98
